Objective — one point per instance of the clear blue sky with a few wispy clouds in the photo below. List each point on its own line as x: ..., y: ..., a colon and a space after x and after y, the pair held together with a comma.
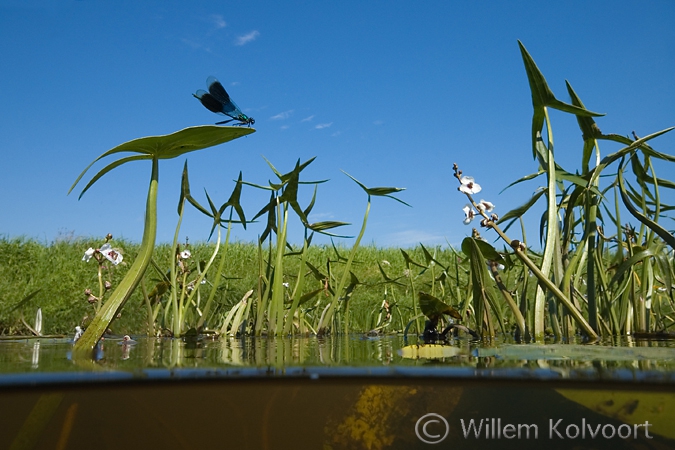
x: 393, y: 92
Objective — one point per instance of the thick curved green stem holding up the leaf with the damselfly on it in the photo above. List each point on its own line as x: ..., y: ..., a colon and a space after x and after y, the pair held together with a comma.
x: 84, y: 346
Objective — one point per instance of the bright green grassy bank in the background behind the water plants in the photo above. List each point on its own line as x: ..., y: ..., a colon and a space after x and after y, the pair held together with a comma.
x: 58, y: 271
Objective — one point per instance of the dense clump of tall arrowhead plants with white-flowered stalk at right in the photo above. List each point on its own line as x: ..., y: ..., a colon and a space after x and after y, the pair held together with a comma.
x: 572, y: 272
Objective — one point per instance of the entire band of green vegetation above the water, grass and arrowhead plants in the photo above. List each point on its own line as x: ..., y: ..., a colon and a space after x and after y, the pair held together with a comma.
x: 596, y: 275
